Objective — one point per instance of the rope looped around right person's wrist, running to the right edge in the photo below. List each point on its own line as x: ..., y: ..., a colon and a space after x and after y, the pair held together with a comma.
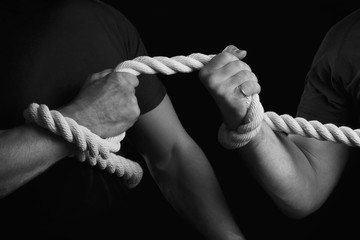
x: 287, y: 124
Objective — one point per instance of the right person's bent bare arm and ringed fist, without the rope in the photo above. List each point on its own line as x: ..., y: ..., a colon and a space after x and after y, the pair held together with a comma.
x: 298, y: 173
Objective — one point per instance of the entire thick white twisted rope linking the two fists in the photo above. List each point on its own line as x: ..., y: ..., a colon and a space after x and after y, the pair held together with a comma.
x: 101, y: 152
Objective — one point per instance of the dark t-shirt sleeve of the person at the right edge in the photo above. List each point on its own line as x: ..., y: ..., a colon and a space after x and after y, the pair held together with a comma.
x: 327, y: 95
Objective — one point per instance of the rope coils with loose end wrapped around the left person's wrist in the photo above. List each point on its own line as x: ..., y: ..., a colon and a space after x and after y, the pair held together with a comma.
x: 90, y: 146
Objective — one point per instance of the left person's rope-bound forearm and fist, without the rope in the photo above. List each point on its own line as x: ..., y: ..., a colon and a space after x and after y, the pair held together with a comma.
x: 106, y: 105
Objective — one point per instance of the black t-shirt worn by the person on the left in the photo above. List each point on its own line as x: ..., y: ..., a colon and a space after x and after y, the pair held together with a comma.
x: 48, y: 49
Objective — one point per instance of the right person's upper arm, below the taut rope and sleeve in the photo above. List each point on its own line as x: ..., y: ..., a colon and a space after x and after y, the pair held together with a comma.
x: 327, y: 159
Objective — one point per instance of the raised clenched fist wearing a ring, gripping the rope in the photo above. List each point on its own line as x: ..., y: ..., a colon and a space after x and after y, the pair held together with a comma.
x: 230, y: 82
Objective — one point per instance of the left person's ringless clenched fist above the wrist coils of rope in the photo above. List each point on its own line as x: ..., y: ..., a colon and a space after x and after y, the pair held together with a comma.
x: 106, y: 104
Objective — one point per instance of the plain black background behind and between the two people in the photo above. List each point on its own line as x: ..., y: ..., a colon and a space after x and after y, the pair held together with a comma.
x: 281, y: 40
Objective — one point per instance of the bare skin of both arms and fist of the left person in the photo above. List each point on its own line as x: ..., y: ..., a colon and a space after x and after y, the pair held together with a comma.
x: 107, y: 106
